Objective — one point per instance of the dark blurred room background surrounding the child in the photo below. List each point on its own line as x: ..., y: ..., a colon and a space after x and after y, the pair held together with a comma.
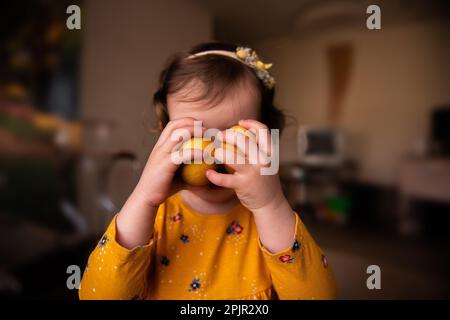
x: 365, y: 158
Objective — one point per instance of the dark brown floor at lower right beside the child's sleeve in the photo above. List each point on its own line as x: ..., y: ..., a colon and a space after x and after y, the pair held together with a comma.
x: 411, y: 268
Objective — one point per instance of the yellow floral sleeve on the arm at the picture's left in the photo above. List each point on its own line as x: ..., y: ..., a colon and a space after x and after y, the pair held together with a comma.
x: 114, y: 272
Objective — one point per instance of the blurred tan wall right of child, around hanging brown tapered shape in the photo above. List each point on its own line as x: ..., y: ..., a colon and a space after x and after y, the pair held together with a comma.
x: 399, y: 74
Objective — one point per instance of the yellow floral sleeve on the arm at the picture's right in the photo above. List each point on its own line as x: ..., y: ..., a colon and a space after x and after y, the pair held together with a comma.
x: 301, y: 271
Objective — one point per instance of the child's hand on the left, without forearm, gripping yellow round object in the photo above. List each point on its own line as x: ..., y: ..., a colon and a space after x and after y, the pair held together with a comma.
x: 157, y: 181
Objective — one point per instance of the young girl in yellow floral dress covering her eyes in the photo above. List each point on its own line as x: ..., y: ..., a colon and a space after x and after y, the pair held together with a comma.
x: 237, y: 238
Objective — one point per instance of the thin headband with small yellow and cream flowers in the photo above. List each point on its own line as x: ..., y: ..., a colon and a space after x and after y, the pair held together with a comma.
x: 248, y: 57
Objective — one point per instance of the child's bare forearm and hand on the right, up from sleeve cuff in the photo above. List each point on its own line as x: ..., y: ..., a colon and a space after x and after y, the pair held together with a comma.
x: 261, y: 194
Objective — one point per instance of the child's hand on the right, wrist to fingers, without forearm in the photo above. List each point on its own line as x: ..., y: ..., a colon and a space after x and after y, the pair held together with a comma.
x: 255, y: 191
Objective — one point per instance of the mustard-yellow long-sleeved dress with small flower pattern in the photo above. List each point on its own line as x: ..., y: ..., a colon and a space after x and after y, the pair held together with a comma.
x: 206, y: 256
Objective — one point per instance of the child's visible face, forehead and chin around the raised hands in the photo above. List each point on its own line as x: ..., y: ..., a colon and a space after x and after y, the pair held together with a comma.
x: 241, y: 102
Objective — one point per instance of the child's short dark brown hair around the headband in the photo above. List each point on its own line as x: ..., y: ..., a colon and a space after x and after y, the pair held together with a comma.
x: 218, y: 74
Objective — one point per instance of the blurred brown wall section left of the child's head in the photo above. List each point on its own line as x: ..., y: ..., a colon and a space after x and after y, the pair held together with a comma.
x: 125, y: 45
